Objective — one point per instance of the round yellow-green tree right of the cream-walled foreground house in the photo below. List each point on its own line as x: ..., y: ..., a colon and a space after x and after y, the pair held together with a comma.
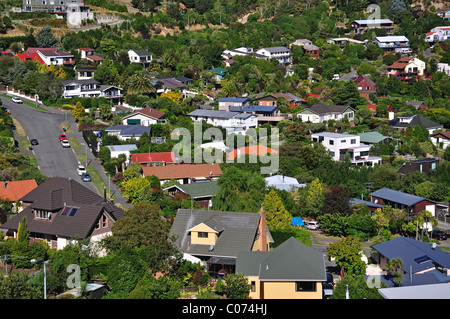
x: 347, y: 253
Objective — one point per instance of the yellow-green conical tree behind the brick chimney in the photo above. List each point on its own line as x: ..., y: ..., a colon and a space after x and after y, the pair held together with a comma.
x: 277, y: 216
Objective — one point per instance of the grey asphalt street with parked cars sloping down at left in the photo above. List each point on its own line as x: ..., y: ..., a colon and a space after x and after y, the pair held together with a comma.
x: 52, y: 158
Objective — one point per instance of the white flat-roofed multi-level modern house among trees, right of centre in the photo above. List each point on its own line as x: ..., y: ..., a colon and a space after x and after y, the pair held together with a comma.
x: 341, y: 145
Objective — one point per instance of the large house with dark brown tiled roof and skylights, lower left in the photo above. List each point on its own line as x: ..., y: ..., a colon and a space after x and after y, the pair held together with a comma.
x: 61, y: 210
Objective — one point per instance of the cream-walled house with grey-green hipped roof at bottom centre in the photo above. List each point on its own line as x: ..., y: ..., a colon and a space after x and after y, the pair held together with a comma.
x: 292, y: 270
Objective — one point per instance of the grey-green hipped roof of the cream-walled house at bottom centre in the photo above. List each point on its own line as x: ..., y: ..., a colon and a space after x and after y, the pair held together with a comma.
x: 291, y: 261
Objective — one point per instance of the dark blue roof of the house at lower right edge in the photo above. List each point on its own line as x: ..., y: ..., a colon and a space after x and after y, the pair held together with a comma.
x: 409, y: 250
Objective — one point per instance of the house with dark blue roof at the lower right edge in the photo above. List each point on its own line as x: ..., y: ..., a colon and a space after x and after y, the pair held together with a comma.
x: 423, y: 263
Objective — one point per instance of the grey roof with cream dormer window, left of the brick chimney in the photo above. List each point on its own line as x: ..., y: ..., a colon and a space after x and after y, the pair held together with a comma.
x: 238, y: 231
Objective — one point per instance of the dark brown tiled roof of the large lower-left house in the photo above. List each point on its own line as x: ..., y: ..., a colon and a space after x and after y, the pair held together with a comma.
x: 54, y: 195
